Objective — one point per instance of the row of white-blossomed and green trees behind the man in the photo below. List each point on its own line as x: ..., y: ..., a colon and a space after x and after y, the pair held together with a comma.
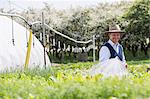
x: 82, y: 23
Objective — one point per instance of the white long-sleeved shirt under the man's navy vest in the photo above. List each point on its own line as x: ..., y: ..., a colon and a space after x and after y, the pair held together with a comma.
x: 104, y: 53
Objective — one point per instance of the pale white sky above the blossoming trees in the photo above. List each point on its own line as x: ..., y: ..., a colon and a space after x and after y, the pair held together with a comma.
x: 58, y: 4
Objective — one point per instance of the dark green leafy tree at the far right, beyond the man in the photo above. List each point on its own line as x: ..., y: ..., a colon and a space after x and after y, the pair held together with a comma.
x: 138, y: 27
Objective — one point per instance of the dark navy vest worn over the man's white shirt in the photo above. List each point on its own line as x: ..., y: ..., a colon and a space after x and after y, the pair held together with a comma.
x: 113, y: 53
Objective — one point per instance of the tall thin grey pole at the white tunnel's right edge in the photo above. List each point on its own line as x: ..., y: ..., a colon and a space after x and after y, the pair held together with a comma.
x: 44, y: 43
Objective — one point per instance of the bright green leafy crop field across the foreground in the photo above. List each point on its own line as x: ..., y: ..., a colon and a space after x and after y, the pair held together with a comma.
x: 68, y: 81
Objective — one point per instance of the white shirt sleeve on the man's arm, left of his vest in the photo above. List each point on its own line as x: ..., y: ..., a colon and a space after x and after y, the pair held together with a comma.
x: 104, y: 54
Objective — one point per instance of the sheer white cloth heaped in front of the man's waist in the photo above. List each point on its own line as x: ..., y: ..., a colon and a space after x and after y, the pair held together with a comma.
x: 111, y: 67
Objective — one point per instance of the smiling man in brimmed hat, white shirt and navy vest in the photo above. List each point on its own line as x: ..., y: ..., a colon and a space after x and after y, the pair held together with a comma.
x: 112, y: 48
